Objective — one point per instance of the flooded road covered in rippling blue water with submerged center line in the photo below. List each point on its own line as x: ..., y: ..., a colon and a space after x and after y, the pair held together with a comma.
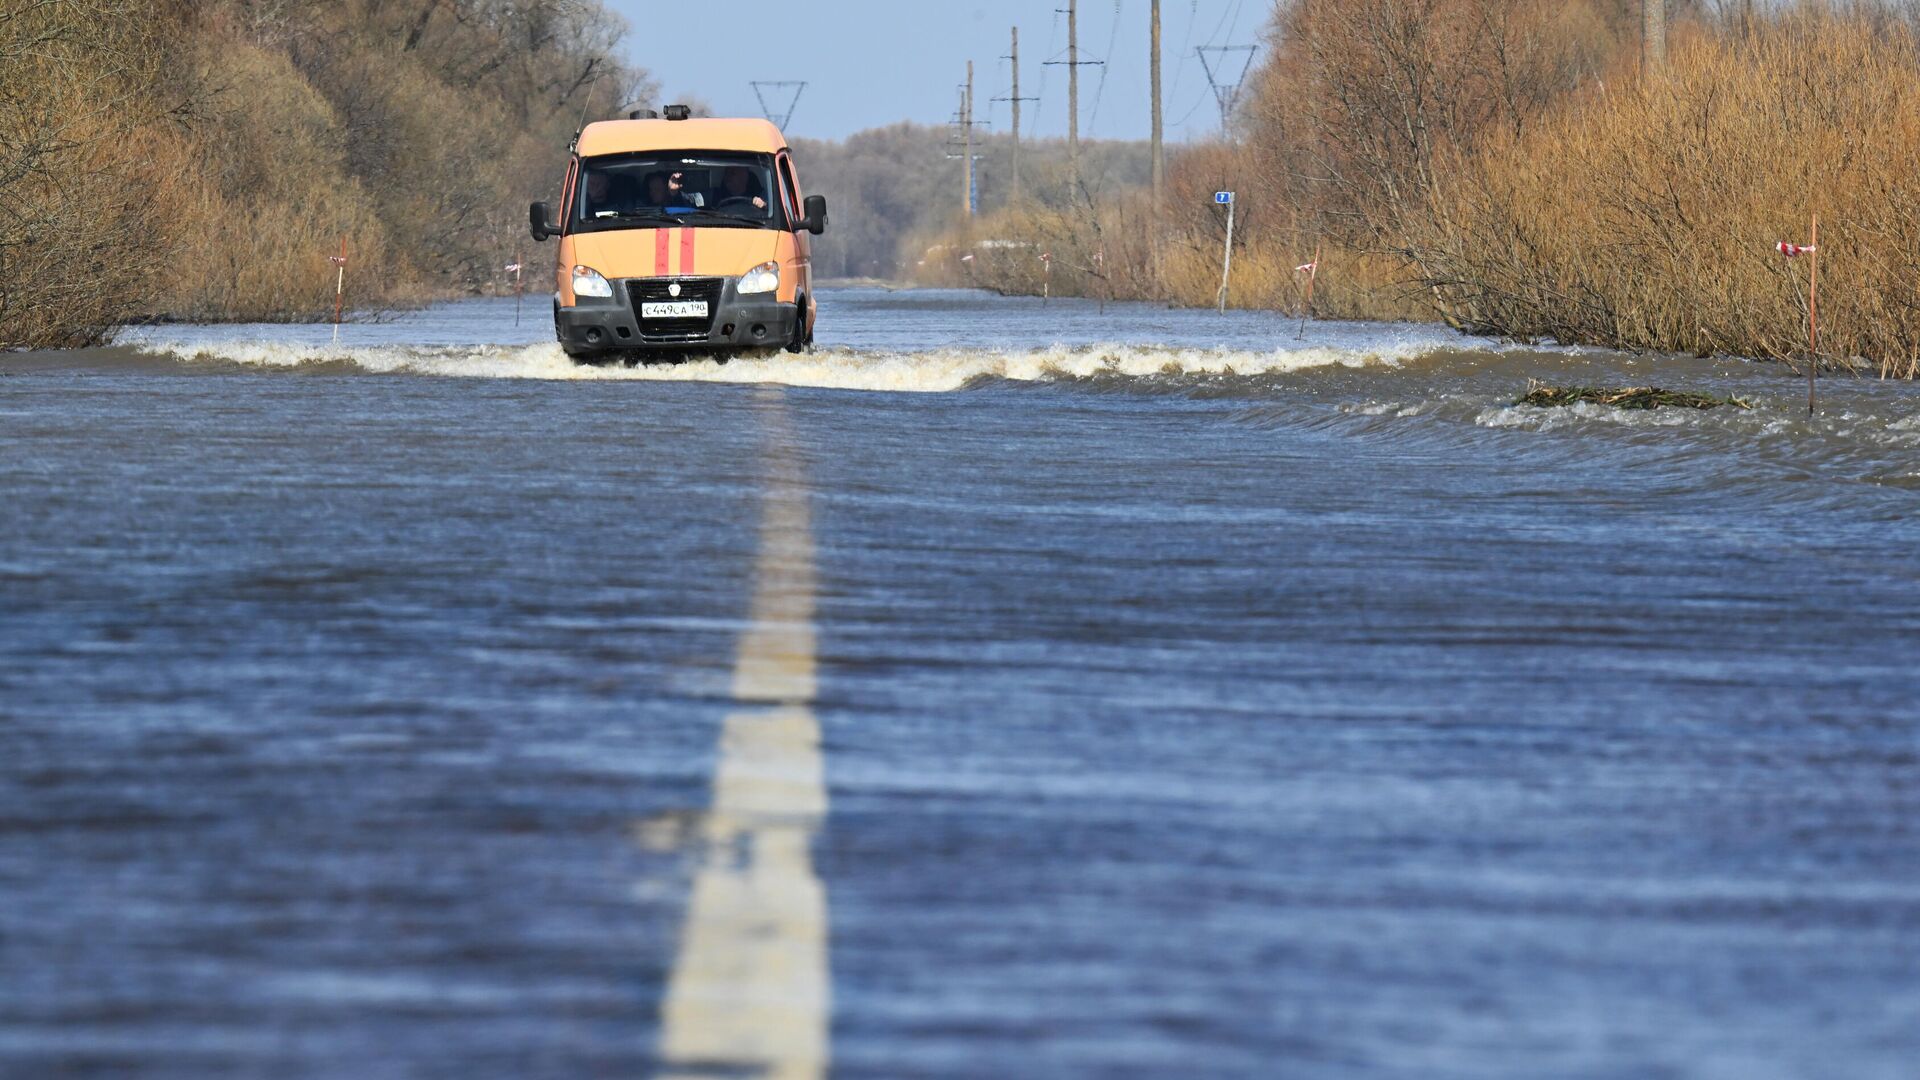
x: 999, y: 691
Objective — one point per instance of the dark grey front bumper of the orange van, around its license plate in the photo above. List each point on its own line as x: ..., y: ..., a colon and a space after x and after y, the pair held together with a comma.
x: 734, y: 322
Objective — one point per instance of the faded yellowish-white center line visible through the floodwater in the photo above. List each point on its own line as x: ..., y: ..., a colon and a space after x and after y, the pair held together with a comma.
x: 750, y: 993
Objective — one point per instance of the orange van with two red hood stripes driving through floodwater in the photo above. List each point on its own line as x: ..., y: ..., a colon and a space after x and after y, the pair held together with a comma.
x: 683, y: 235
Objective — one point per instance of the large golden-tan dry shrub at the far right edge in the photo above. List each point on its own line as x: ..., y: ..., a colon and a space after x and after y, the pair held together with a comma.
x: 1644, y: 218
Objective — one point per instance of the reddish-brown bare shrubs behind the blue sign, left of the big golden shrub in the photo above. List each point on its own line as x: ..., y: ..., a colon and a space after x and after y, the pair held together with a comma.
x: 1345, y: 128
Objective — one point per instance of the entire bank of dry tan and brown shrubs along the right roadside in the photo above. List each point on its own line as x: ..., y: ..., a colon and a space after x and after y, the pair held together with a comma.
x: 1508, y: 166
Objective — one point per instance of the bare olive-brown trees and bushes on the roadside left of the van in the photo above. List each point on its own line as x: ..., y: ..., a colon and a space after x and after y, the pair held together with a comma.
x: 204, y: 159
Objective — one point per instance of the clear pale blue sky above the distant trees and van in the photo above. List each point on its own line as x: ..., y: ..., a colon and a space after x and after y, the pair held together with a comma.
x: 878, y: 62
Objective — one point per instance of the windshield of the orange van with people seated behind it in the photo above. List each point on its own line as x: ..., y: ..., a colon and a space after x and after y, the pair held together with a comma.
x: 709, y: 189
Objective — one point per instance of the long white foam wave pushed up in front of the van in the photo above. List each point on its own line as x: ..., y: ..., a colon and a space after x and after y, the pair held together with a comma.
x: 846, y: 370
